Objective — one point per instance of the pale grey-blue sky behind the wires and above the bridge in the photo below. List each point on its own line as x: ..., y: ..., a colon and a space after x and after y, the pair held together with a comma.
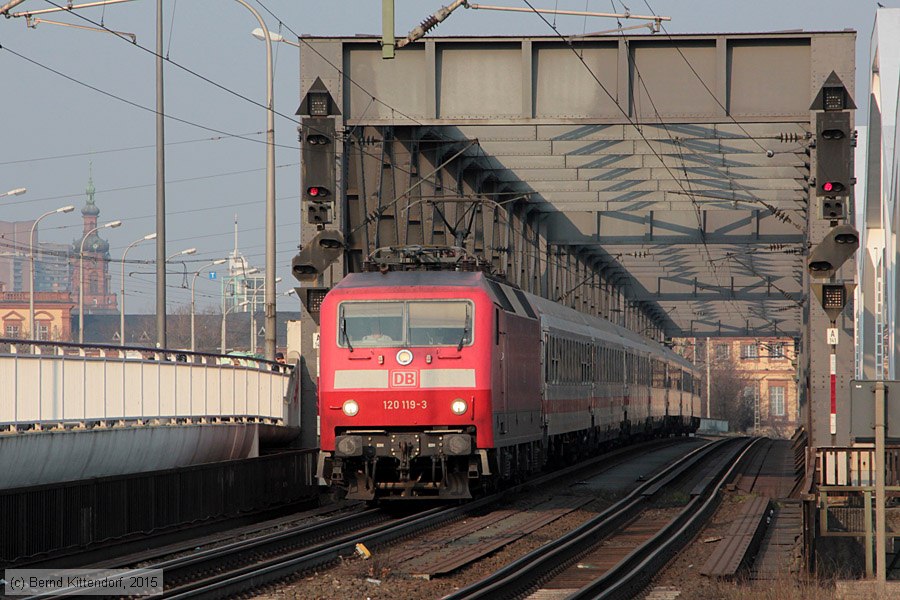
x: 76, y: 102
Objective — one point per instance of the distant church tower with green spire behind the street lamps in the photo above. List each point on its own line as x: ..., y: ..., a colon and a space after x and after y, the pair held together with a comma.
x: 97, y: 297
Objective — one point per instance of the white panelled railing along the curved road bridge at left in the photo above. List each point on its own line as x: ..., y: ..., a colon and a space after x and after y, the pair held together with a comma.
x: 60, y: 384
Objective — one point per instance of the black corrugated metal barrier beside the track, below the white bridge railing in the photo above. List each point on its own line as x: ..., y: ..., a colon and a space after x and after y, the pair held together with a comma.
x: 51, y: 518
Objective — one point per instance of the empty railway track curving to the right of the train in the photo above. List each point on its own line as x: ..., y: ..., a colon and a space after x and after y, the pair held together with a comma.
x: 650, y: 541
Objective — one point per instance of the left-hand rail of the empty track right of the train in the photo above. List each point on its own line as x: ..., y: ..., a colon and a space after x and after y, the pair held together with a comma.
x: 526, y: 572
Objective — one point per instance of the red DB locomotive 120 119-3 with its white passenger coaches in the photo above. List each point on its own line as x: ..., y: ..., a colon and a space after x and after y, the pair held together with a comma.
x: 444, y: 384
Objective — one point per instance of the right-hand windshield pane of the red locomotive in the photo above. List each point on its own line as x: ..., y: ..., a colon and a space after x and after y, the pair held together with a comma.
x: 441, y: 323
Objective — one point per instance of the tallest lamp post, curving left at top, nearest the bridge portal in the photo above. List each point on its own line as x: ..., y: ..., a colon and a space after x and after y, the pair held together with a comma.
x: 270, y: 189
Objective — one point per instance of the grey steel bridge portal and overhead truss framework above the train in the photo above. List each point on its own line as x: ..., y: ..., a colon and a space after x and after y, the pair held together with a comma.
x: 580, y: 240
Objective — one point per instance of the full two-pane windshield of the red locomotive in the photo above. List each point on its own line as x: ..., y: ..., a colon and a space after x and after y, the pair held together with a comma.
x: 405, y: 323
